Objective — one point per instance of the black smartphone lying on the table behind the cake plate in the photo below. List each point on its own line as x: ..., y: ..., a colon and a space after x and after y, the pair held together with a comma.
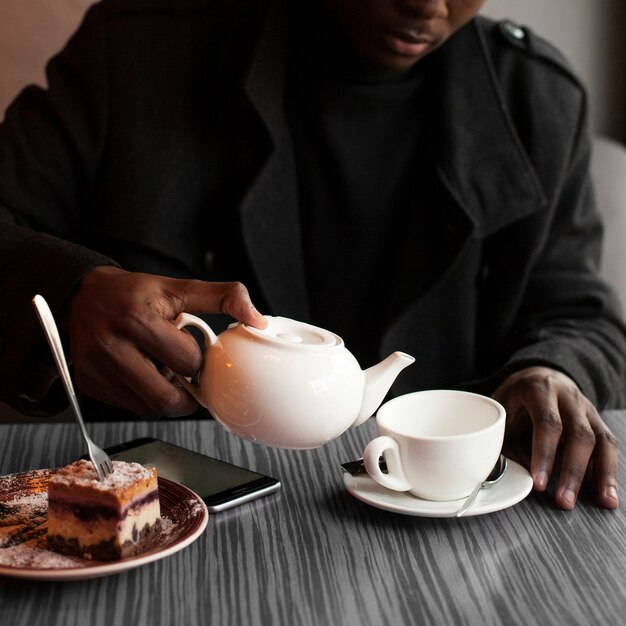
x: 221, y: 485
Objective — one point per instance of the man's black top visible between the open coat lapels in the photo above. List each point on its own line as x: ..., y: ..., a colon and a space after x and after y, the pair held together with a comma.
x: 358, y: 139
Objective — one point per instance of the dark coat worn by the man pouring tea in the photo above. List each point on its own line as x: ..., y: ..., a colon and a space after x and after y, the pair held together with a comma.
x: 186, y: 169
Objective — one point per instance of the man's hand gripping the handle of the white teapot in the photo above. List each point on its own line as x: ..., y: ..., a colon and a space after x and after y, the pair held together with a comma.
x: 122, y: 333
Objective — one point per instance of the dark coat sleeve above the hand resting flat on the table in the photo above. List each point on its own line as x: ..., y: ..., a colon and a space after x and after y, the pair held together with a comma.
x: 570, y: 319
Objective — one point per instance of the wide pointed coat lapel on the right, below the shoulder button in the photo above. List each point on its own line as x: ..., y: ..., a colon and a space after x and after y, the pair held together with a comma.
x: 481, y: 159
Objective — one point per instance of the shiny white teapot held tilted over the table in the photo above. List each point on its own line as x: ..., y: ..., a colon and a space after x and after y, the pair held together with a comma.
x: 290, y: 385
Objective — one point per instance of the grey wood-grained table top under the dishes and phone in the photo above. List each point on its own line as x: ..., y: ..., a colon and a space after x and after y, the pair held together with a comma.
x: 312, y: 554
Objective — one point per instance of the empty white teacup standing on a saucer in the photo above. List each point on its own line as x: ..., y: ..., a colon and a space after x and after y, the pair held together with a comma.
x: 438, y: 444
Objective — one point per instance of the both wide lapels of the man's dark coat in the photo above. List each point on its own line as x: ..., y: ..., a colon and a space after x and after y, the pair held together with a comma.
x: 480, y: 141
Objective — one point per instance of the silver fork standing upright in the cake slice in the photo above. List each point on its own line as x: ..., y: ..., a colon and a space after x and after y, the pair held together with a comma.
x: 98, y: 456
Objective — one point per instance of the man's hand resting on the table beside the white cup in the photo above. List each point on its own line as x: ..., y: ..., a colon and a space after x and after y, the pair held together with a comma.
x: 561, y: 417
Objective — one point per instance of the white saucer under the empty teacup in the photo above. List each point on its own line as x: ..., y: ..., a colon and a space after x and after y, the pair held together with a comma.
x: 513, y: 488
